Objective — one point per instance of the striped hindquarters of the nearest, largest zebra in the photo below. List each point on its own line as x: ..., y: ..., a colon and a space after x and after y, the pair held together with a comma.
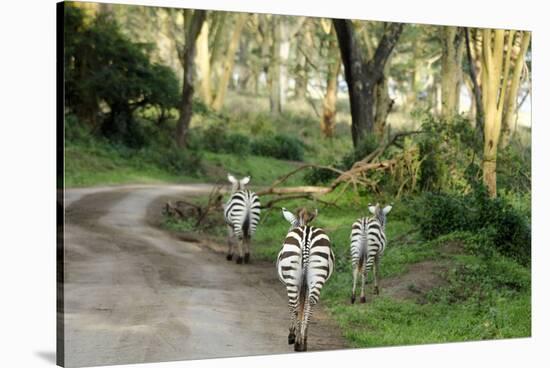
x: 305, y: 262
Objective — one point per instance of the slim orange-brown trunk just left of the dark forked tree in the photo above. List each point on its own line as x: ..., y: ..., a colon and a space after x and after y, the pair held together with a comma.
x: 328, y: 118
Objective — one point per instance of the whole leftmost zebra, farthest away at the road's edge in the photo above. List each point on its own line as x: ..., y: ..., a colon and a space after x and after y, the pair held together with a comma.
x: 242, y: 214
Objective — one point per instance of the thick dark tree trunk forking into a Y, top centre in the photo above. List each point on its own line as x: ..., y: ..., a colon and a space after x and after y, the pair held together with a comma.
x: 363, y: 75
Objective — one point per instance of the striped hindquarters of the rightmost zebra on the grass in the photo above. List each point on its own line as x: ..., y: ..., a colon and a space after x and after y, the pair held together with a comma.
x: 367, y: 241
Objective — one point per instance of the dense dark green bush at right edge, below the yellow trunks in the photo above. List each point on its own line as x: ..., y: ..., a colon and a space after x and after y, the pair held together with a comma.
x: 507, y: 229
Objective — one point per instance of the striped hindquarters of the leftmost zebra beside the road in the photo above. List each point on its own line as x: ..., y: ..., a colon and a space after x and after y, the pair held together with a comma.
x: 242, y: 213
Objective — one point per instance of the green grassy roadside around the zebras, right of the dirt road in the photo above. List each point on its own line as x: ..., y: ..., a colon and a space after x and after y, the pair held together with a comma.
x: 476, y: 298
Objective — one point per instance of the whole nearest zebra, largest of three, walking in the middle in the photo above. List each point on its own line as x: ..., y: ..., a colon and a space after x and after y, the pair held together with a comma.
x: 304, y: 264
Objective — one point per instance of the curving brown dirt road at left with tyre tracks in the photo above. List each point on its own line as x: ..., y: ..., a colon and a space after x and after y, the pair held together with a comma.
x: 135, y: 294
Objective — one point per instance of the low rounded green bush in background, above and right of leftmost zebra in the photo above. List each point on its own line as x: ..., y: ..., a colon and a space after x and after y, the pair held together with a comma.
x: 279, y: 146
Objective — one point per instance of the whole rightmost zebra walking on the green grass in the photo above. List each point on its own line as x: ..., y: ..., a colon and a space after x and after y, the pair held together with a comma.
x: 368, y: 240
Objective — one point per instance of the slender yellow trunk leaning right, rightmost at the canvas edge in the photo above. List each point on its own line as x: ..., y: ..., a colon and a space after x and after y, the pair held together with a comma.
x: 511, y: 106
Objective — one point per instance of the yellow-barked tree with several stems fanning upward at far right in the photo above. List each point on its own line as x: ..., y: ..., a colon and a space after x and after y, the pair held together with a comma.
x: 498, y: 89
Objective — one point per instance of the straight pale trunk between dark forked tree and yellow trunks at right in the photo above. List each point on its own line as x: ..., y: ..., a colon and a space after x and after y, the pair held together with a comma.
x: 451, y: 69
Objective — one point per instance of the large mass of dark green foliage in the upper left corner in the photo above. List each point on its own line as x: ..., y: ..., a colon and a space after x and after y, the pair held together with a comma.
x: 108, y: 77
